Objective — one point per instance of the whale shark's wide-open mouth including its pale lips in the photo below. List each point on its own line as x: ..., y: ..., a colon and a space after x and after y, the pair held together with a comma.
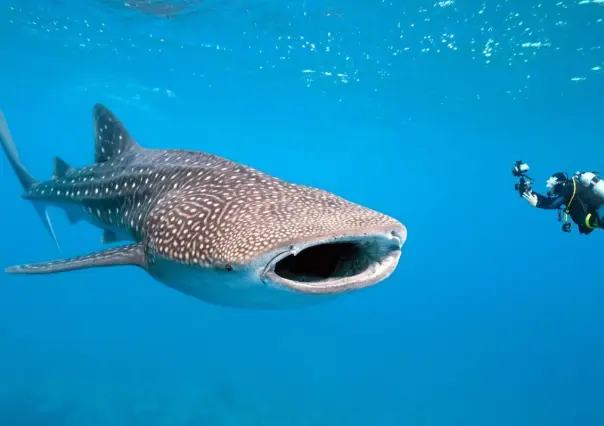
x: 336, y: 265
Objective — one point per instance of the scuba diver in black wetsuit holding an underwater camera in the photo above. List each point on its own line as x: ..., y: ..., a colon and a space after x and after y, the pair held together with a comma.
x: 582, y: 195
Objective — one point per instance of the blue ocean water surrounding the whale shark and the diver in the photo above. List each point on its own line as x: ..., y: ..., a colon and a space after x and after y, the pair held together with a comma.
x: 417, y: 109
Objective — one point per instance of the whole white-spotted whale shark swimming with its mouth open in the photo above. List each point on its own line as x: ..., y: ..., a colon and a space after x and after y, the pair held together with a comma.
x: 220, y: 231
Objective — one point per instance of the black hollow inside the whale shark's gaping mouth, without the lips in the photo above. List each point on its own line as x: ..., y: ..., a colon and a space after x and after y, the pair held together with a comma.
x: 327, y: 261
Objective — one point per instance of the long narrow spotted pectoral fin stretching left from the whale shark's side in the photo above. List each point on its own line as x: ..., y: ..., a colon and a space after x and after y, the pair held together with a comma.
x: 133, y: 254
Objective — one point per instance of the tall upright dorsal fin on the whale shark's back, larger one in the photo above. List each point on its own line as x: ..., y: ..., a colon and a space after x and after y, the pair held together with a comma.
x: 111, y: 137
